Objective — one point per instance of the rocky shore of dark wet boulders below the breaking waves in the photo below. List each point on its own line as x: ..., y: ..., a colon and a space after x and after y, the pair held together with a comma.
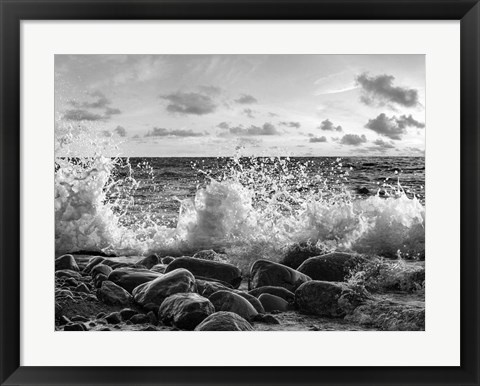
x: 205, y: 292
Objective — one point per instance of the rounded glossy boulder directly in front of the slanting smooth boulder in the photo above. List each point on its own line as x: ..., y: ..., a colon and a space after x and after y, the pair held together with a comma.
x: 185, y: 310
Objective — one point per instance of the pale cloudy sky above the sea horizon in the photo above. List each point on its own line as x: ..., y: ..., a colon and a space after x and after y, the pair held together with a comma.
x: 209, y: 105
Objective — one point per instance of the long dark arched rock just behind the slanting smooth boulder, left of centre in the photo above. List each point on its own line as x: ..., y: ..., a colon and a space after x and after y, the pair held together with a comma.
x: 206, y: 269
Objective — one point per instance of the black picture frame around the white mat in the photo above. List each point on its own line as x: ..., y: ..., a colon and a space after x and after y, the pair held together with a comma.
x: 13, y: 11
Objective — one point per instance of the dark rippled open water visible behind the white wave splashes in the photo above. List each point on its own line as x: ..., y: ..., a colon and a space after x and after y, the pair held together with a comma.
x: 169, y: 181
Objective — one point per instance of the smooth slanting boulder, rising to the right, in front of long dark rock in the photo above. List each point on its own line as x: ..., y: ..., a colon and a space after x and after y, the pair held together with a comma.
x: 150, y: 295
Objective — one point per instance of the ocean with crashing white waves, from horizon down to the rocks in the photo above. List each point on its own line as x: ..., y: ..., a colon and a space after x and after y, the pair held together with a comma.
x: 247, y: 207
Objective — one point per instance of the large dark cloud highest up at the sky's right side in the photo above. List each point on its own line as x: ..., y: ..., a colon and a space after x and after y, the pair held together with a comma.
x: 380, y: 90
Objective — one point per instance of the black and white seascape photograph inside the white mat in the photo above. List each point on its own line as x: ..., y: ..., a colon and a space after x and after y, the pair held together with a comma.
x: 240, y: 192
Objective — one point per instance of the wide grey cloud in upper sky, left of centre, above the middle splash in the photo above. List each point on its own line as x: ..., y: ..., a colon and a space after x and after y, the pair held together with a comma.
x: 190, y: 103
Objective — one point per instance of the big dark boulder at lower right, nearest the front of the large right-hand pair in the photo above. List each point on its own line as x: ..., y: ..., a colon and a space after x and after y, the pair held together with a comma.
x: 326, y: 298
